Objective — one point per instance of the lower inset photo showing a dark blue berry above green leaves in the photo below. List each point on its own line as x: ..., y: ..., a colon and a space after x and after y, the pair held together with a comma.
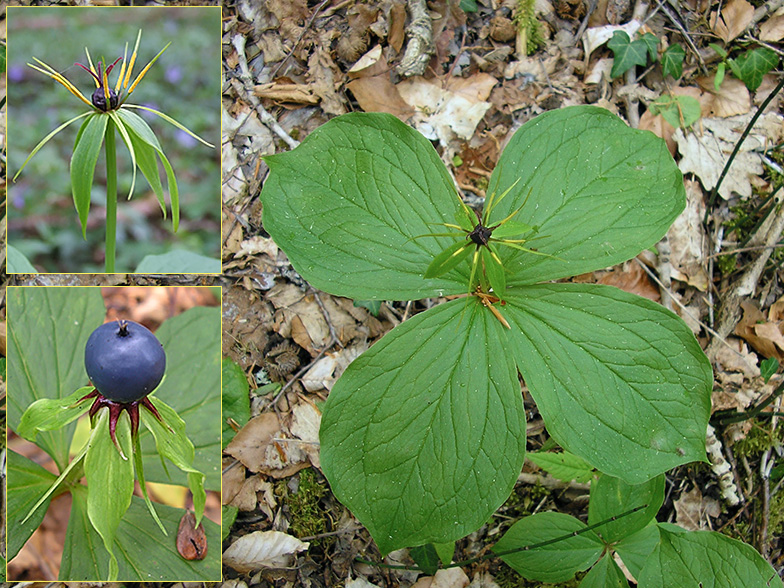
x: 114, y: 434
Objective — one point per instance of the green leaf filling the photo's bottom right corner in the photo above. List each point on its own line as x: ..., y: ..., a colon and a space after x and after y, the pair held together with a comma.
x: 705, y: 558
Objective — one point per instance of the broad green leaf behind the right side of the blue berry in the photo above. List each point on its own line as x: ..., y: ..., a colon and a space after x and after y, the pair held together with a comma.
x: 192, y: 388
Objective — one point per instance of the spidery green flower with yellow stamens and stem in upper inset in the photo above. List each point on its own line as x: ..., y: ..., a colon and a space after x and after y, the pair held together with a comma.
x: 109, y: 110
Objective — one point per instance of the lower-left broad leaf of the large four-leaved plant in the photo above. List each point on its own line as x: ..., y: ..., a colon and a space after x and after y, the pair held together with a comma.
x: 418, y: 426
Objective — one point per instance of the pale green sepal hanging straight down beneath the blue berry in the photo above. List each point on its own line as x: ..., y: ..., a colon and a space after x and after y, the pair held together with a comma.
x: 109, y: 481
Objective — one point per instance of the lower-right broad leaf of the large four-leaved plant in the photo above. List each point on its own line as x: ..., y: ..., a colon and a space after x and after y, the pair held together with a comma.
x: 619, y: 380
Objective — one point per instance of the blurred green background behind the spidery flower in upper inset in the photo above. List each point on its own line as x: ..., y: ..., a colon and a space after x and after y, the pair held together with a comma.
x: 184, y: 83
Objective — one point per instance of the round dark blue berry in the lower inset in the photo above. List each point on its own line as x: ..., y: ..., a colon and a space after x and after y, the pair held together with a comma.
x: 124, y: 361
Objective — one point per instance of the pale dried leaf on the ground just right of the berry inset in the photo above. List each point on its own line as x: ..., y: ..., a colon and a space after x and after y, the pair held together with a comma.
x: 262, y: 549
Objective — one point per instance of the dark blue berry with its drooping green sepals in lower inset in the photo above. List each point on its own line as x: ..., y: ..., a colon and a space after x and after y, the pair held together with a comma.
x: 125, y: 363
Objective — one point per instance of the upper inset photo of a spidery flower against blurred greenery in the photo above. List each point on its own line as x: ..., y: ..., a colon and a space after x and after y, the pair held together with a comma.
x: 113, y: 139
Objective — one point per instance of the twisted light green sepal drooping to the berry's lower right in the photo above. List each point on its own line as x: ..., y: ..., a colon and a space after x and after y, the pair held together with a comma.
x: 172, y: 443
